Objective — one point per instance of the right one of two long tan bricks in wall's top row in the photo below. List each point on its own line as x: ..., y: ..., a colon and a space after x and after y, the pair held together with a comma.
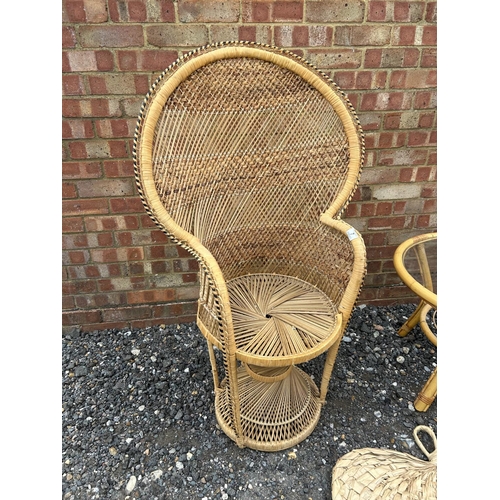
x: 334, y: 11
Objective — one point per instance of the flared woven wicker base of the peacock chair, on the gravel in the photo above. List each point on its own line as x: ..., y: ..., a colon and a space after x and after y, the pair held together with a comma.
x: 274, y: 416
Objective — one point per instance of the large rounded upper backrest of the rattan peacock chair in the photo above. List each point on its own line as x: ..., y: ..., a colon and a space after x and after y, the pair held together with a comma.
x: 247, y: 136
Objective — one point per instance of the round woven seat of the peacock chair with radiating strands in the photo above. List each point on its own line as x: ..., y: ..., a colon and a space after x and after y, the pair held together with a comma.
x: 280, y: 319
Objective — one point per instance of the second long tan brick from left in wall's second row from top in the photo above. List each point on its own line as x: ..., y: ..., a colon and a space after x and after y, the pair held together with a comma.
x: 190, y: 35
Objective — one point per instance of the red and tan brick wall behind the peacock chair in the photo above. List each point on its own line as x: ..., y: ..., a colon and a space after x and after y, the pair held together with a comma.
x: 118, y: 268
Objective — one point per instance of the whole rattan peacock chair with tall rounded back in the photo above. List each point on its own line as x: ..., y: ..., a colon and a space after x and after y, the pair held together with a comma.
x: 246, y: 156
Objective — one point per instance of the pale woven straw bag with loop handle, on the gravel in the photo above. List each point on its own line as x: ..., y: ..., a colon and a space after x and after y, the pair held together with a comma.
x: 373, y: 473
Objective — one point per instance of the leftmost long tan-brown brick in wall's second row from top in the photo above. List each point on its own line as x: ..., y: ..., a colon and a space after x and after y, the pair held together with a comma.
x: 111, y: 36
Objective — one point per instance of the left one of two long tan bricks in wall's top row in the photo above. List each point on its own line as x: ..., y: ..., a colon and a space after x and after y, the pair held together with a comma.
x: 210, y: 11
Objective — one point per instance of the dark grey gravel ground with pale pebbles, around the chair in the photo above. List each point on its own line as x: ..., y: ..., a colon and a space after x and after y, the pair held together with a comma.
x: 138, y: 416
